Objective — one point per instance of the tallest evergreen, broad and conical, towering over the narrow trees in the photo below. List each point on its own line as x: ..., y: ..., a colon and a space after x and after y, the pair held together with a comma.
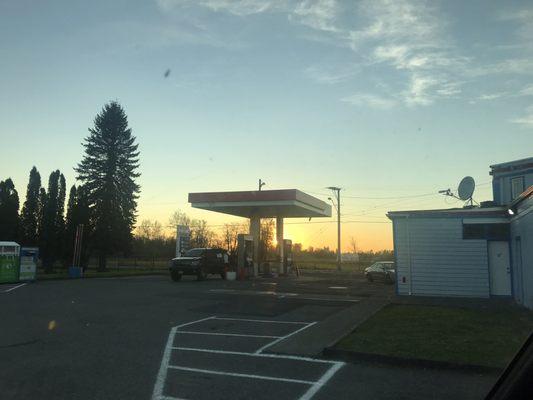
x: 108, y: 171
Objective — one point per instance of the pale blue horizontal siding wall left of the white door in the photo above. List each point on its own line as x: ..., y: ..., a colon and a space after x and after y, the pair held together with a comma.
x: 442, y: 263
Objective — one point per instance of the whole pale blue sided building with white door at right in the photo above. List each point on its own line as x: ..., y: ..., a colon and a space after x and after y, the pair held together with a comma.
x: 471, y: 252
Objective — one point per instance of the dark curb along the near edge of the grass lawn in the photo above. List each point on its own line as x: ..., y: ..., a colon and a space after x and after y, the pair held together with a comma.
x: 355, y: 357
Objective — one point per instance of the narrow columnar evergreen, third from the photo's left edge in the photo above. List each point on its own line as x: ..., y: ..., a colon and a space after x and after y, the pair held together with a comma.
x: 51, y: 232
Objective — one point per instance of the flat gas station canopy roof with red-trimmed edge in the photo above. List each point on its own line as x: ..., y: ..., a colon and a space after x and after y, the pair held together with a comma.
x: 287, y: 203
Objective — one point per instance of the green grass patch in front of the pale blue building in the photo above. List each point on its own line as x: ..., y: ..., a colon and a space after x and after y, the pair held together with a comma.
x: 488, y: 337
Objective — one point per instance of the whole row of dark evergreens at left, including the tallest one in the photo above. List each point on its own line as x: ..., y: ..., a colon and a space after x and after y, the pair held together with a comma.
x: 104, y: 201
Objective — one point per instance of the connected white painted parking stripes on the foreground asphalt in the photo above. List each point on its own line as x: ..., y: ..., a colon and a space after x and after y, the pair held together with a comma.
x: 315, y: 386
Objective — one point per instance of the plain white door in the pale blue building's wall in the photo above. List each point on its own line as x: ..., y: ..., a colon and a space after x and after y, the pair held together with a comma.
x: 499, y: 268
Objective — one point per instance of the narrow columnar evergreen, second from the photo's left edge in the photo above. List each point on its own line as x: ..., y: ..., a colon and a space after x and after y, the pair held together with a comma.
x: 30, y: 211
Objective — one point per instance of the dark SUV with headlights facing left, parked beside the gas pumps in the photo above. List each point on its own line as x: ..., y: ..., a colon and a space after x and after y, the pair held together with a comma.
x: 200, y: 262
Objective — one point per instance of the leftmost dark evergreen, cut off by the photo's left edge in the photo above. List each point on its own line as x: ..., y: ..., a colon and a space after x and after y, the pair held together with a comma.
x: 9, y: 211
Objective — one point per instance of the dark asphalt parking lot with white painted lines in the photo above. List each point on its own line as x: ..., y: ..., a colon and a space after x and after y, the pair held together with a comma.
x: 151, y: 338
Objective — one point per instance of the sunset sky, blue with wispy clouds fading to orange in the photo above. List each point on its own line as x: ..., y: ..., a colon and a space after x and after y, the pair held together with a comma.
x: 390, y: 100
